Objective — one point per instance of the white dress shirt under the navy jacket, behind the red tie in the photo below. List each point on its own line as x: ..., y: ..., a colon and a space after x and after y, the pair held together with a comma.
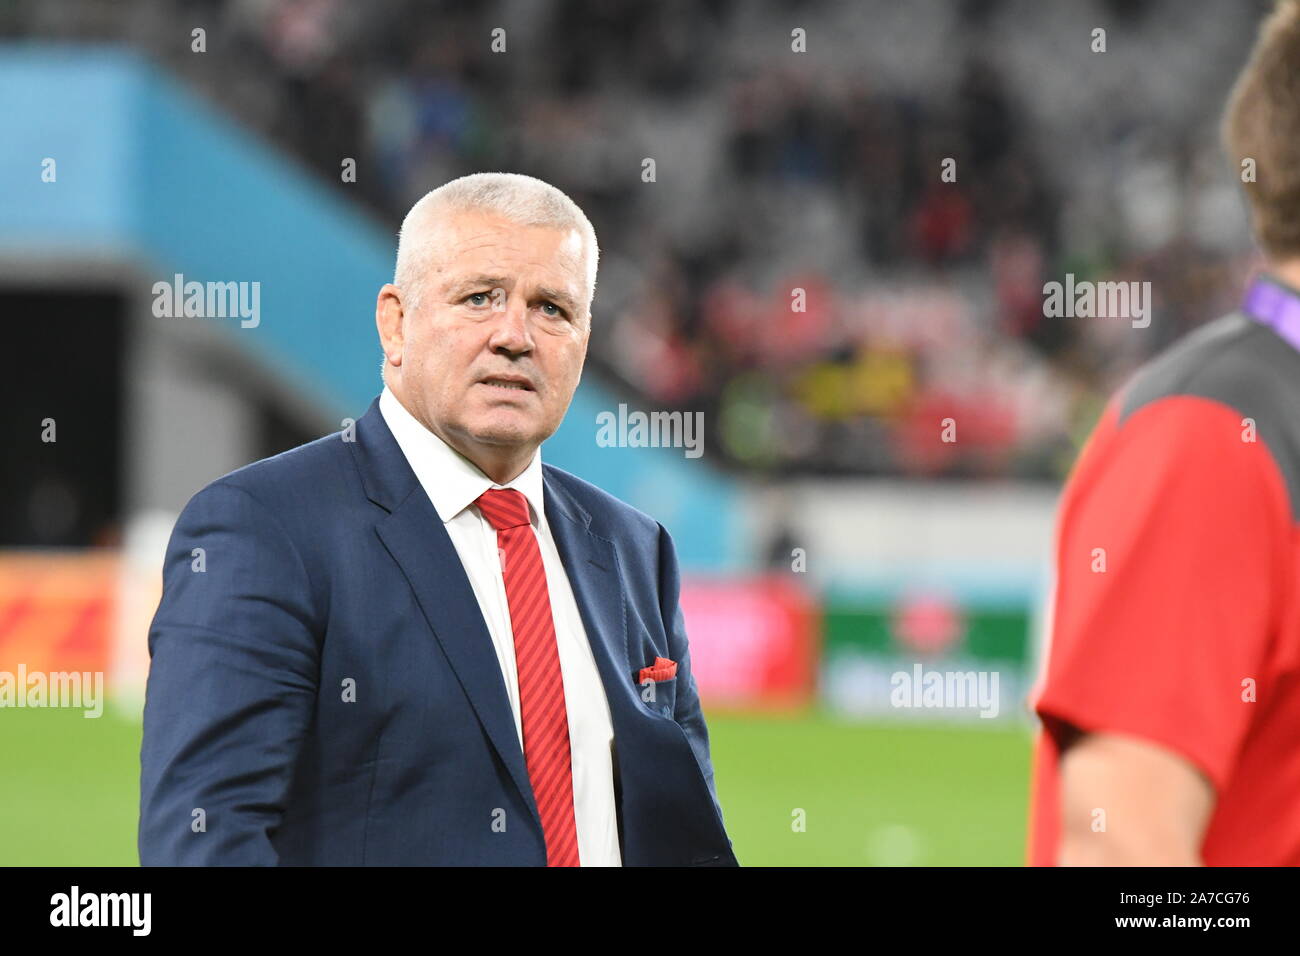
x: 453, y: 485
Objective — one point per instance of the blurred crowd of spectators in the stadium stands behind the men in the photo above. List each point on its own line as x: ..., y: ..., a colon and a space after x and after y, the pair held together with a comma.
x: 779, y: 171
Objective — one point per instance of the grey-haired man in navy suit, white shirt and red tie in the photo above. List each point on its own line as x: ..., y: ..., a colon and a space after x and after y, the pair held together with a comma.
x: 411, y: 643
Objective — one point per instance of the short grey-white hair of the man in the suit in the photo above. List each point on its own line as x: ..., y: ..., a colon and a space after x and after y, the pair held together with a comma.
x: 514, y: 197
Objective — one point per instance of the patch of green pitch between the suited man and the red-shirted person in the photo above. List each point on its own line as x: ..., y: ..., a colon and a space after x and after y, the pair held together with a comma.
x: 873, y: 795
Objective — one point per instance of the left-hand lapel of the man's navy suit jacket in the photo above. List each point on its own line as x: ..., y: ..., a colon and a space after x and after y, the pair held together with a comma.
x: 419, y: 543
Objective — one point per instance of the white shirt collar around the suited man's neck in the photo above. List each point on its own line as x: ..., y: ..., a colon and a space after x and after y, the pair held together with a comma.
x: 452, y: 481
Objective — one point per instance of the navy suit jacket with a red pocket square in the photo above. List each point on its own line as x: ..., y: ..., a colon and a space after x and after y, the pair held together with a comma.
x: 324, y: 690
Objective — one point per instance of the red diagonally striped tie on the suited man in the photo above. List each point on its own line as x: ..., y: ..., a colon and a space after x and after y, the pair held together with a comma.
x: 538, y: 663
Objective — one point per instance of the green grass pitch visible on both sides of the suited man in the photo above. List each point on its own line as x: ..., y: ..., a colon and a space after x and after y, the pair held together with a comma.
x: 869, y: 794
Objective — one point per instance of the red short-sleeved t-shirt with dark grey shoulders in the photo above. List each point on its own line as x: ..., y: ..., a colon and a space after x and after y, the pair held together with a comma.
x: 1176, y: 608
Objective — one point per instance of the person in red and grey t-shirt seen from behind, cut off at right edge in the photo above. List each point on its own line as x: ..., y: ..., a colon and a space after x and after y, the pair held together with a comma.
x: 1171, y: 695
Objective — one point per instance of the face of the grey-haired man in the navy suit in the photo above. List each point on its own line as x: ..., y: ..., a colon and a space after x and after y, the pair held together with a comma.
x: 491, y: 360
